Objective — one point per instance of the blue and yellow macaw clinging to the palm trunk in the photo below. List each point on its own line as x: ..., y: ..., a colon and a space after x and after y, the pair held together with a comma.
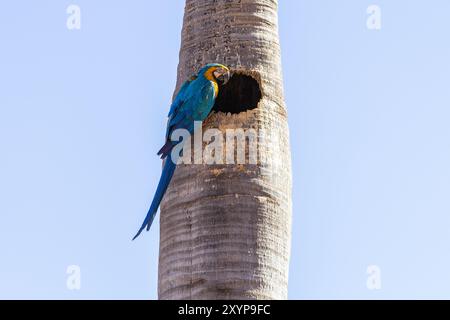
x: 193, y: 102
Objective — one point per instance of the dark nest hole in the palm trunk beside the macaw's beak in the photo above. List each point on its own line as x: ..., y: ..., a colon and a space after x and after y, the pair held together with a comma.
x: 240, y: 94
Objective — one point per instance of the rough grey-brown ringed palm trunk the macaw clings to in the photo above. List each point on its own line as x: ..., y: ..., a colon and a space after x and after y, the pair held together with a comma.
x: 225, y: 229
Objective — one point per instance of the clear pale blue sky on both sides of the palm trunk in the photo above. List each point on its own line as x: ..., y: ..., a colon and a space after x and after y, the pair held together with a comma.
x: 82, y: 114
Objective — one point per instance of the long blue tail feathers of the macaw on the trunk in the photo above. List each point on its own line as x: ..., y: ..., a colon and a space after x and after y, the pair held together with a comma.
x: 166, y: 176
